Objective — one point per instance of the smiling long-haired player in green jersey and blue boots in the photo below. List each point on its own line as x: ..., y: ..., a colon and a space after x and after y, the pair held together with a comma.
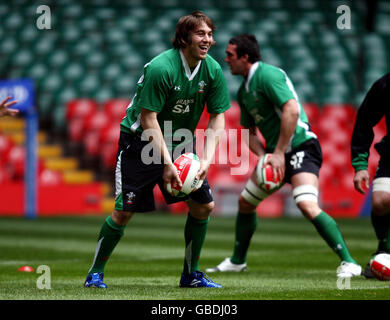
x: 171, y: 96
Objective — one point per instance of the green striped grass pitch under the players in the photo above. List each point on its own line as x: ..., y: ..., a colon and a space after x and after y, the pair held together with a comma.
x: 287, y: 260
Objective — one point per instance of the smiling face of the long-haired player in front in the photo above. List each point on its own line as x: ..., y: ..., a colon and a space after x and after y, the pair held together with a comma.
x: 201, y: 41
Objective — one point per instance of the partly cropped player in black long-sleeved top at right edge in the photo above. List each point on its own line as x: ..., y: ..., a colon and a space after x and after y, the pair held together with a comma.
x: 375, y: 106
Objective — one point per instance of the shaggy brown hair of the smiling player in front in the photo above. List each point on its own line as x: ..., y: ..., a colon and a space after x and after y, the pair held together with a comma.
x: 188, y: 24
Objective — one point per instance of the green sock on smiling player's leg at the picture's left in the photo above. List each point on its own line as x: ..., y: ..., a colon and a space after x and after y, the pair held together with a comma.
x: 109, y: 236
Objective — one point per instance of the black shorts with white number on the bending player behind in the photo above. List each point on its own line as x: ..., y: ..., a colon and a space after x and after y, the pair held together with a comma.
x: 305, y: 158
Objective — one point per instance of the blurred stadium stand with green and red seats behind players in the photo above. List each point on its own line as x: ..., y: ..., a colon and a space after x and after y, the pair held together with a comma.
x: 86, y: 66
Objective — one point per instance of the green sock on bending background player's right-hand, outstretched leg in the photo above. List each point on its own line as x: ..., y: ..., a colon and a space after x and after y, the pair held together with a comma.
x: 330, y: 232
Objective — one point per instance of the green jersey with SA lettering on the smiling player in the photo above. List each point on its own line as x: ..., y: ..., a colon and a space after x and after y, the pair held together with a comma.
x: 178, y: 95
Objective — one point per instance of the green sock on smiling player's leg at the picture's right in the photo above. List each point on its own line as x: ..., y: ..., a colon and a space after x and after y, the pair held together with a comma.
x: 194, y: 234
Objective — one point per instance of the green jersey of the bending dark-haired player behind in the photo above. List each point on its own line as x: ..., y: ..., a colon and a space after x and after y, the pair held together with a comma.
x: 261, y: 98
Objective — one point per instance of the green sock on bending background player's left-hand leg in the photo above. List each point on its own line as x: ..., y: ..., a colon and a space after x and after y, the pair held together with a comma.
x: 246, y: 225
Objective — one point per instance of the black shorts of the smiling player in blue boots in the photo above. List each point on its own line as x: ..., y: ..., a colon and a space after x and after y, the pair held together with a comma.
x: 135, y: 180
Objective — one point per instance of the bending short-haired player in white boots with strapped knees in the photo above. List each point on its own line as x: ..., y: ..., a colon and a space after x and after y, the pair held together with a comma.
x: 268, y: 102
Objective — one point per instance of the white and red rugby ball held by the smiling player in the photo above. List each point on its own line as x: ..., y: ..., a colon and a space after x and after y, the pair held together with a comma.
x: 187, y: 166
